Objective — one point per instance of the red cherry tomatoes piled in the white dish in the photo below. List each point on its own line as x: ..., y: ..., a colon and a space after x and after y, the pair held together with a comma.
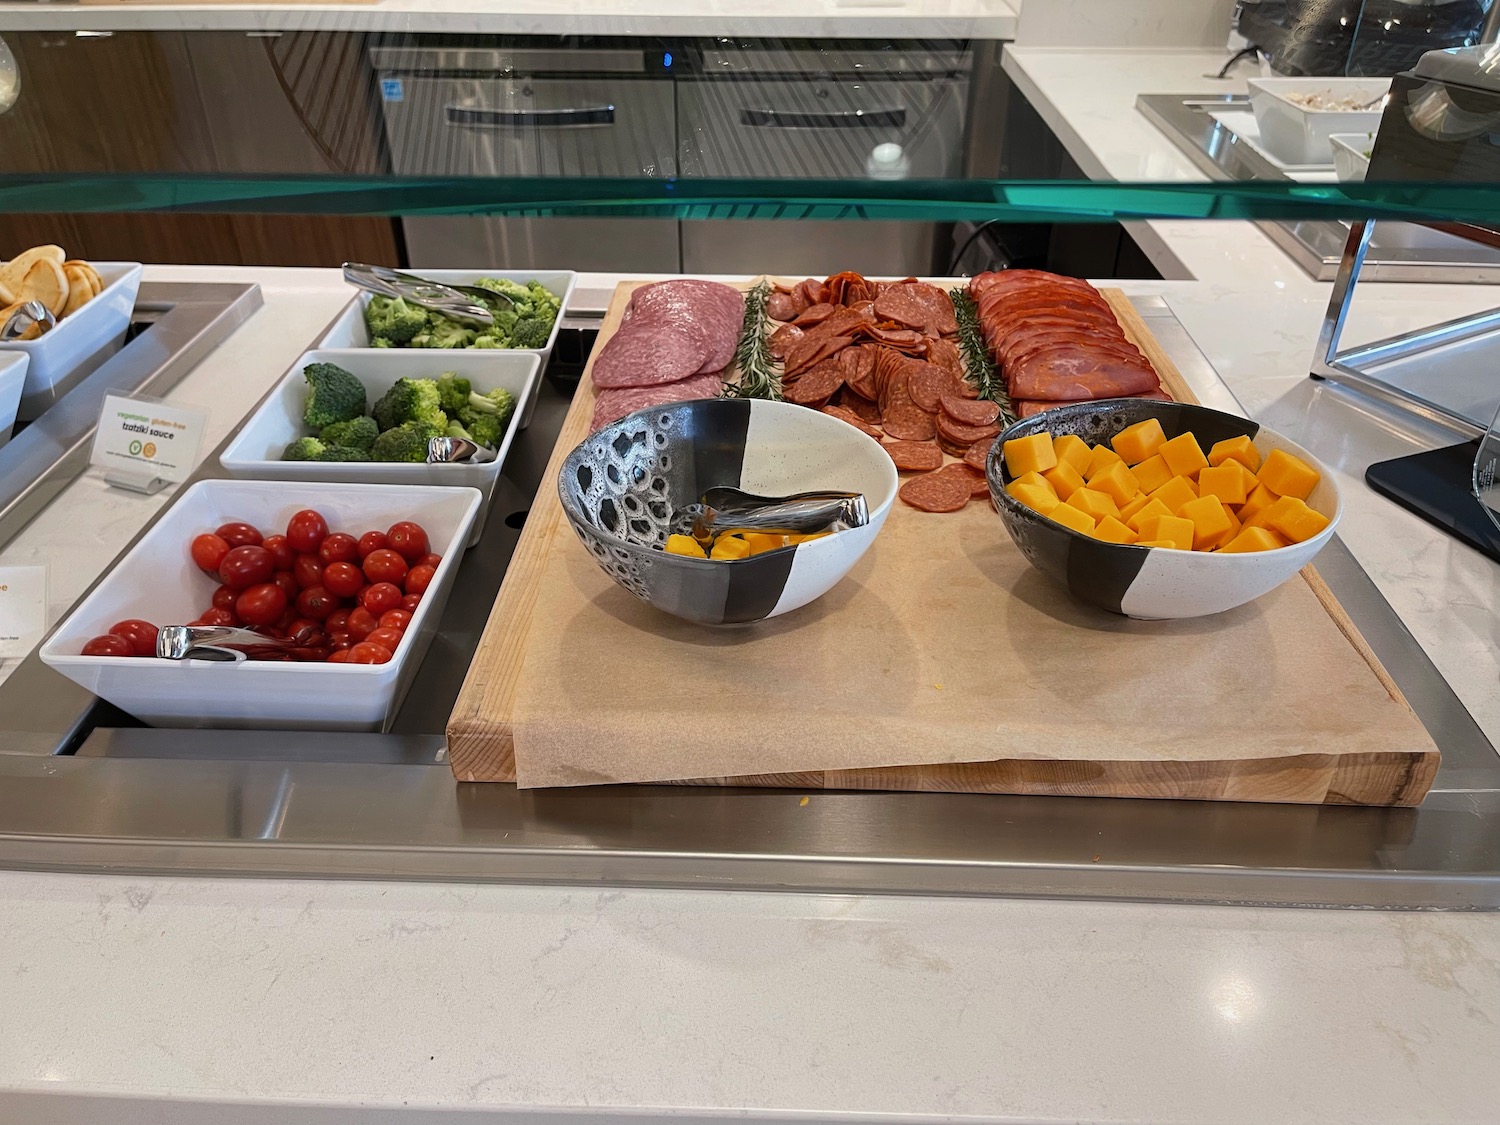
x: 343, y: 599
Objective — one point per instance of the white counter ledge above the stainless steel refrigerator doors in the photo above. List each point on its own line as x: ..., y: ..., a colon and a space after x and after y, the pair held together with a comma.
x: 823, y: 20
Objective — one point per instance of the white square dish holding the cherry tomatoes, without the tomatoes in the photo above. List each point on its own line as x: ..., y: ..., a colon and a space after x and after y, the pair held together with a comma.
x: 158, y: 581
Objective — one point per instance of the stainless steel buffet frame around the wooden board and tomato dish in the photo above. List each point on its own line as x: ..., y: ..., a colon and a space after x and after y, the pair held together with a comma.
x: 86, y: 790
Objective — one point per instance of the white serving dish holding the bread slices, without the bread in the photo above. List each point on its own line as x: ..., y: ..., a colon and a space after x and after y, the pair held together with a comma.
x: 82, y: 341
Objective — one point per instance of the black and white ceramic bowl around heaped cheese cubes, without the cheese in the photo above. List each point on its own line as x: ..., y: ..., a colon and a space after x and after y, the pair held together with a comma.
x: 1153, y: 583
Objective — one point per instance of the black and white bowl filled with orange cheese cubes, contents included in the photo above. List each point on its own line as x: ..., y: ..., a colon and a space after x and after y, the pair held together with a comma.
x: 1160, y: 509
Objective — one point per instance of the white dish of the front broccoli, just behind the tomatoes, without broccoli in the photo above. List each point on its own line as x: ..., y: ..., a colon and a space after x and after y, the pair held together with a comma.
x: 256, y: 451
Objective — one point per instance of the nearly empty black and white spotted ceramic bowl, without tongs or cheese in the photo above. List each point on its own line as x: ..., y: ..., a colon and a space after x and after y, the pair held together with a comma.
x: 622, y: 487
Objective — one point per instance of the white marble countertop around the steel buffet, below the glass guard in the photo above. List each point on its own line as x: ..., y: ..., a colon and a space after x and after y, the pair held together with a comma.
x: 134, y: 1000
